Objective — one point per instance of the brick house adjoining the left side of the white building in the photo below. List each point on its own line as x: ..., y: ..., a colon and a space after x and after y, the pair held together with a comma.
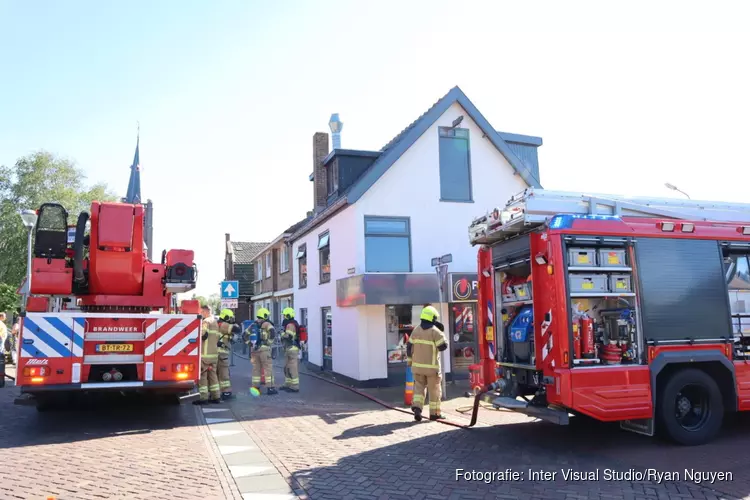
x: 273, y: 283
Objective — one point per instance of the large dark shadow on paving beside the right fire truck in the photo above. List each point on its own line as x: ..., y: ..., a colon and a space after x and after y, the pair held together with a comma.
x: 430, y: 466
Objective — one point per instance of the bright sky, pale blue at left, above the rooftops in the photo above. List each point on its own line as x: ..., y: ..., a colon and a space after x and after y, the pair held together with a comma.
x: 229, y: 93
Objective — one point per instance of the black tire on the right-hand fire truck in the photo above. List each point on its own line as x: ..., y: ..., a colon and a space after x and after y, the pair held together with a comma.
x: 690, y: 408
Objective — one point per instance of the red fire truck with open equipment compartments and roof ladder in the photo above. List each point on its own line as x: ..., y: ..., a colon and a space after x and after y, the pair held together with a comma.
x: 628, y: 310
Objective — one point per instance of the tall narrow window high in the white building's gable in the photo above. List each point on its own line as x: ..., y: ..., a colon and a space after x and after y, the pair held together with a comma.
x: 455, y: 167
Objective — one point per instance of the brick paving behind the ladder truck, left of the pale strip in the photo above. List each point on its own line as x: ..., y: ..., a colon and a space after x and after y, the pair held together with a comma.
x: 127, y: 450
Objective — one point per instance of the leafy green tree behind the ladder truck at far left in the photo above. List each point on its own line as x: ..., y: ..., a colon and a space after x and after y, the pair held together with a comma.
x: 38, y: 178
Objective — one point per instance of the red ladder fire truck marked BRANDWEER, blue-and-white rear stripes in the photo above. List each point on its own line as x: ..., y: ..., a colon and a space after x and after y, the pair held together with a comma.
x: 99, y: 316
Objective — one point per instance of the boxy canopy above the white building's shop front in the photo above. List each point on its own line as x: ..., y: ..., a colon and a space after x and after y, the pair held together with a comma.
x: 387, y: 288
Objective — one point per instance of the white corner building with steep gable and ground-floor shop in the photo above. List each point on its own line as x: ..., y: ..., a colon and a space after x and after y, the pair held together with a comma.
x: 363, y: 268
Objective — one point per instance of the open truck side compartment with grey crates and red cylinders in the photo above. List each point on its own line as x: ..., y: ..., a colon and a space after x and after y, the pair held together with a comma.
x: 601, y: 281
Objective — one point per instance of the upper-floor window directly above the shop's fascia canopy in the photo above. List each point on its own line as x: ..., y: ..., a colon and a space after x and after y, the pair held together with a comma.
x: 387, y: 245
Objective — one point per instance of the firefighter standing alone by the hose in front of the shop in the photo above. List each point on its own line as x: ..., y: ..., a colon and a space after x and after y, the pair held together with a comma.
x: 425, y: 343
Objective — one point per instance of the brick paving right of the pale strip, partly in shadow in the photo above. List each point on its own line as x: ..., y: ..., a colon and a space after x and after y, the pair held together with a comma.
x: 337, y: 446
